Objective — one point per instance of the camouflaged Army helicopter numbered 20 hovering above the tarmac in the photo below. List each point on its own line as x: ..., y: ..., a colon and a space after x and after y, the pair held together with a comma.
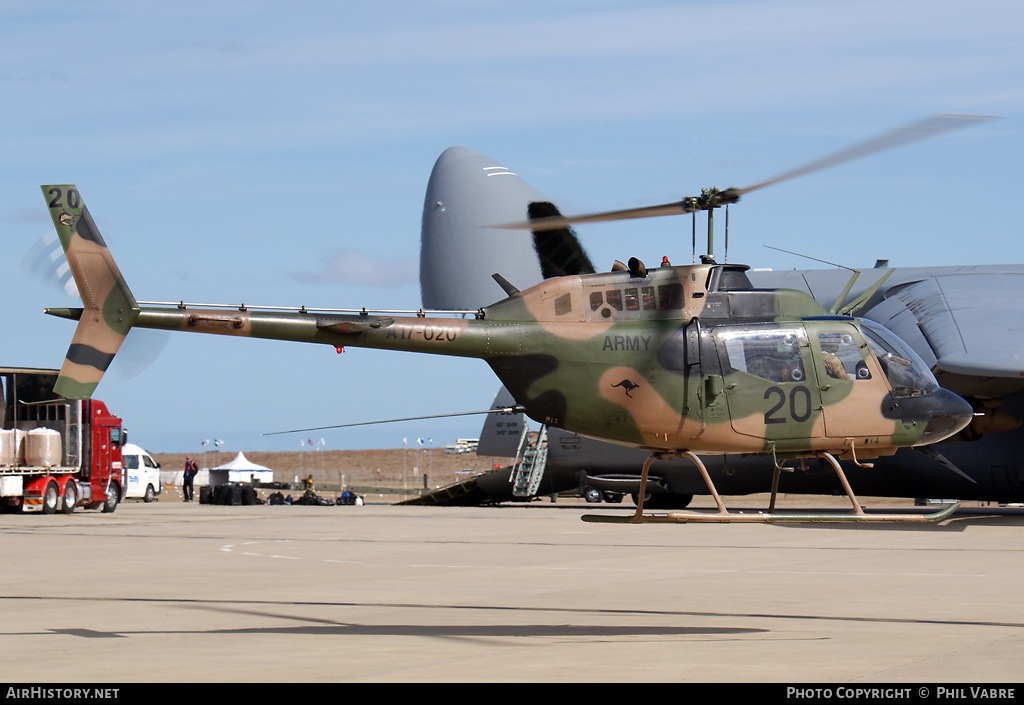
x: 677, y: 361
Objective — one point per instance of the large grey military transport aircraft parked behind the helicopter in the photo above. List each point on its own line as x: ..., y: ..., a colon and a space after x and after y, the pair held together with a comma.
x: 948, y: 315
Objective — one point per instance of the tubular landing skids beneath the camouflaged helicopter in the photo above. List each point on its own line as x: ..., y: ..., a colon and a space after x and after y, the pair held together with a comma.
x: 723, y: 516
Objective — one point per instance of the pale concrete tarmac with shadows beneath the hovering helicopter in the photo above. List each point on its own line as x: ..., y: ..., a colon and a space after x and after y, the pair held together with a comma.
x: 176, y: 592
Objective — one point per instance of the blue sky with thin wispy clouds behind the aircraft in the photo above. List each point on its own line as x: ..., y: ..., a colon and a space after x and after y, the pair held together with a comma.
x: 278, y: 154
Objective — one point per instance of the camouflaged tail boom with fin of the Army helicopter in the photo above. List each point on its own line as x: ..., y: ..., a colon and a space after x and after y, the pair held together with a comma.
x: 110, y: 311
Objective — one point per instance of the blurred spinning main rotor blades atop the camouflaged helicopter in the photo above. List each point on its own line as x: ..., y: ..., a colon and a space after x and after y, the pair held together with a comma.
x: 714, y: 198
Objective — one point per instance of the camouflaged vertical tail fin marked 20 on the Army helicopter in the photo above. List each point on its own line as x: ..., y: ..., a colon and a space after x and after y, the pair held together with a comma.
x: 108, y: 306
